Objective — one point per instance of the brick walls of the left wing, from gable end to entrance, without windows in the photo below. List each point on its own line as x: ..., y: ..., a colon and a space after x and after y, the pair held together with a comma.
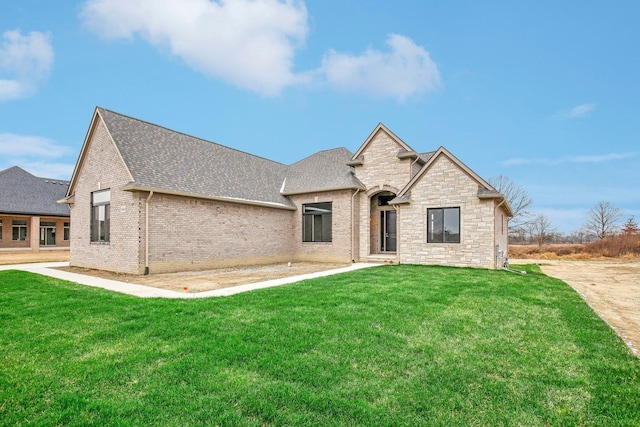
x: 187, y: 233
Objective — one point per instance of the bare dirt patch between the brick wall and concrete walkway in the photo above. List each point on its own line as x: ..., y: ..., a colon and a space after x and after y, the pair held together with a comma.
x: 200, y: 281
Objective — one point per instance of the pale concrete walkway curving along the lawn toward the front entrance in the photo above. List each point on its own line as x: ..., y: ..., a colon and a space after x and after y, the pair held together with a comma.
x: 48, y: 269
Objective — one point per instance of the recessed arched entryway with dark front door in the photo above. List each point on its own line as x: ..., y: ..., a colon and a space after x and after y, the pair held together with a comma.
x: 383, y: 227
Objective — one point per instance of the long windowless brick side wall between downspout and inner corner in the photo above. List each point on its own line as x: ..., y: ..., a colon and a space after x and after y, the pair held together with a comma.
x: 194, y: 234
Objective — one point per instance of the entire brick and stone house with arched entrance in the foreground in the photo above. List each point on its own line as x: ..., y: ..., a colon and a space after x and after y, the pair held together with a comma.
x: 145, y: 199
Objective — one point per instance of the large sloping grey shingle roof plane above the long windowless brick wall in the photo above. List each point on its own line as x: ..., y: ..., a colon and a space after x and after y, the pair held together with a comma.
x: 164, y: 160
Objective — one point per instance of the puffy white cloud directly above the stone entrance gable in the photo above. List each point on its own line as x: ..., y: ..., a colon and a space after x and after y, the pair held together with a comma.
x: 404, y: 71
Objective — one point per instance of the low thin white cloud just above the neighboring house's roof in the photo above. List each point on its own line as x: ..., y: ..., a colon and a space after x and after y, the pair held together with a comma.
x: 35, y: 154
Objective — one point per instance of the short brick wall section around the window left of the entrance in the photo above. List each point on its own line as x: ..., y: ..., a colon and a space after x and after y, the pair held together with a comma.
x: 339, y: 249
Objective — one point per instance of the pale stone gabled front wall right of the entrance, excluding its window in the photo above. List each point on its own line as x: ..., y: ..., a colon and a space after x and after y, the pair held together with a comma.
x: 446, y: 185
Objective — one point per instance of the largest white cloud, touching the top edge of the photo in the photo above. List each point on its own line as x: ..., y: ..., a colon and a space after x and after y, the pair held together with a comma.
x: 250, y: 43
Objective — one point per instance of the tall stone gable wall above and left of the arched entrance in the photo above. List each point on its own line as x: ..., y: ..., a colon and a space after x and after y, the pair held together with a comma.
x: 381, y: 170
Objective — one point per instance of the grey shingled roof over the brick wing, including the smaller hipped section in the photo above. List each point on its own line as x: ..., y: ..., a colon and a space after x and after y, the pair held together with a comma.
x: 164, y: 160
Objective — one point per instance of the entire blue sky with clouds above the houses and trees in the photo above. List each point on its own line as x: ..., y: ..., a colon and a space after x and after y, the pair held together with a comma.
x: 544, y: 92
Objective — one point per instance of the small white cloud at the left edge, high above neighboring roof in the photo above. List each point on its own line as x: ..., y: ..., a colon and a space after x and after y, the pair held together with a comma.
x: 25, y: 61
